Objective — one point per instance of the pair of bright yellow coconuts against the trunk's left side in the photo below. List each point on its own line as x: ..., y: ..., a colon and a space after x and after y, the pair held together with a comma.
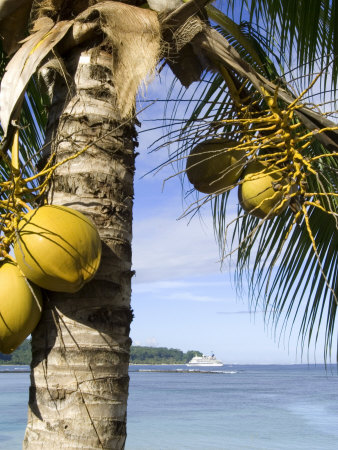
x: 56, y: 248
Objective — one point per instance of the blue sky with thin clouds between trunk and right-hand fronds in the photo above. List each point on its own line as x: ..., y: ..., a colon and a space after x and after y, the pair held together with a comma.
x: 181, y: 296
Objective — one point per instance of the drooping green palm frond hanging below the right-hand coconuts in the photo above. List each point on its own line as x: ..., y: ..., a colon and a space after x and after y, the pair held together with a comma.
x: 290, y: 269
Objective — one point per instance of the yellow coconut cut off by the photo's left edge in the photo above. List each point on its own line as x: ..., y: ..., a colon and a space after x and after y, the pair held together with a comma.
x: 20, y: 307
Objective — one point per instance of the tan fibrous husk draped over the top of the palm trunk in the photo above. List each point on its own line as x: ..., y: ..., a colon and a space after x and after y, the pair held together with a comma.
x: 134, y: 36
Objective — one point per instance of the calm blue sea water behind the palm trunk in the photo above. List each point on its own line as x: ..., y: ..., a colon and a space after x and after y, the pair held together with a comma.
x: 232, y: 408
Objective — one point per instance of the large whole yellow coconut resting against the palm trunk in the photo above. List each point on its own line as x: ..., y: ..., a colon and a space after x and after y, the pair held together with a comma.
x: 57, y: 248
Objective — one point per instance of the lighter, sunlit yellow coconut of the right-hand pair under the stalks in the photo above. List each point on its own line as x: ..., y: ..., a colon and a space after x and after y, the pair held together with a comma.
x: 261, y: 192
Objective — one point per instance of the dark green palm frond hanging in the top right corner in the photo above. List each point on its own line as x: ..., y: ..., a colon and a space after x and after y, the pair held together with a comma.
x: 306, y: 29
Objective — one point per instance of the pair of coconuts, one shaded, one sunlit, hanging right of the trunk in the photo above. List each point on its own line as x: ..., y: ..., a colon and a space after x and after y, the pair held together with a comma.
x: 217, y: 165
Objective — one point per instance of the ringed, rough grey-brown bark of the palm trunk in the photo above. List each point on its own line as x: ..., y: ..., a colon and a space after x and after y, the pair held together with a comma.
x: 79, y: 376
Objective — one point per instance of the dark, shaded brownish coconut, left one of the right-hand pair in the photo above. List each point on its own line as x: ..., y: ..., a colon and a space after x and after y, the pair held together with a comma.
x: 213, y: 165
